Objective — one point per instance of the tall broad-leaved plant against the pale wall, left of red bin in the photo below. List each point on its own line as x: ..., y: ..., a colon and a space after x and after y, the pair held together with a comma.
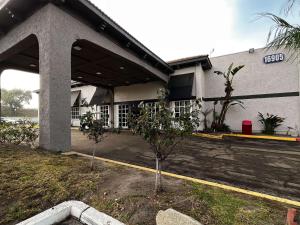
x: 227, y: 101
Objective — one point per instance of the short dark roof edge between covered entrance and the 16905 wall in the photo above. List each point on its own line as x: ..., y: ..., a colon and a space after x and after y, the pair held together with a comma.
x: 192, y: 61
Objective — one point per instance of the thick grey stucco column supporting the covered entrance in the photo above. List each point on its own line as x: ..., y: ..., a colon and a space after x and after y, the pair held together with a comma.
x: 55, y: 93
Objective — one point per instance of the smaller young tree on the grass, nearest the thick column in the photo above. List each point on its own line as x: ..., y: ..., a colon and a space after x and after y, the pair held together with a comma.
x: 94, y: 129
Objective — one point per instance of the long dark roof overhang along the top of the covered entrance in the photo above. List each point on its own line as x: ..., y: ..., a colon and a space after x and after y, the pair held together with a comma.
x: 13, y: 12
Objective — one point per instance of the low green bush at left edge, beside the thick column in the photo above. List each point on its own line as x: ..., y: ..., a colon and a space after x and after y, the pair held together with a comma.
x: 21, y: 133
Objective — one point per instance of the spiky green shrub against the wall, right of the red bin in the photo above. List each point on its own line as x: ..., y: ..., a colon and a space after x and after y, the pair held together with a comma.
x: 270, y: 122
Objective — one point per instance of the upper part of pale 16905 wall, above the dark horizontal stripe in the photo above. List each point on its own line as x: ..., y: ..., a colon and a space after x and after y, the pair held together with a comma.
x: 256, y: 77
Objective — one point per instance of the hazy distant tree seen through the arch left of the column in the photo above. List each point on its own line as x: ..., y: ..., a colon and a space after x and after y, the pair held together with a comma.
x: 15, y: 99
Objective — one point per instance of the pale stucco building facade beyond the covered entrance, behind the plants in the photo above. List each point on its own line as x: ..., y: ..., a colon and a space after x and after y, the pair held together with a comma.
x: 266, y: 88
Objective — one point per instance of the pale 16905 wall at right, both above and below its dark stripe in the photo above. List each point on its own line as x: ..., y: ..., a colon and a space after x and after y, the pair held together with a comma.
x: 256, y: 78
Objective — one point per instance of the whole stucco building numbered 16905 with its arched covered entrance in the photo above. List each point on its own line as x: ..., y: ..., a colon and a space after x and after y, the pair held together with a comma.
x: 65, y: 40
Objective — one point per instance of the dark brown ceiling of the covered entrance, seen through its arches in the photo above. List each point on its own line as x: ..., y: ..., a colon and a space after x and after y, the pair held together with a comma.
x: 90, y: 64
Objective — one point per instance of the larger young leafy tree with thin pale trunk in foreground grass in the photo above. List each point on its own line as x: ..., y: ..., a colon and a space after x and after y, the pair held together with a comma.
x: 163, y: 131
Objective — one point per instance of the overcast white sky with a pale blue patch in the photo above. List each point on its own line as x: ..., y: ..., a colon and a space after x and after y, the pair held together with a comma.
x: 180, y: 28
